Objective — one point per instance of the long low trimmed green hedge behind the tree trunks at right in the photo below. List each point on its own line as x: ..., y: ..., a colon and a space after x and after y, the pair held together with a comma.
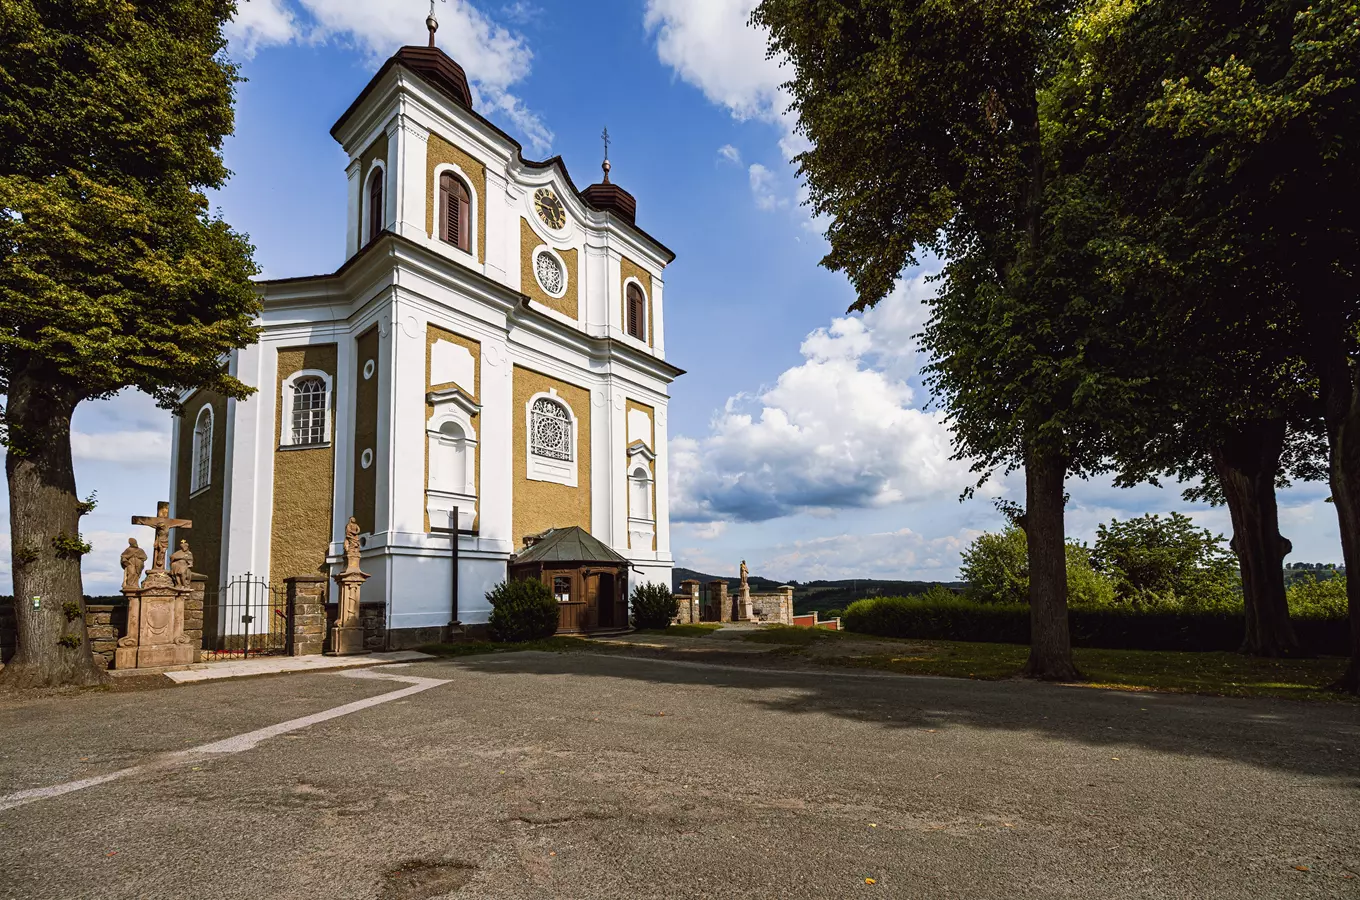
x: 1106, y: 627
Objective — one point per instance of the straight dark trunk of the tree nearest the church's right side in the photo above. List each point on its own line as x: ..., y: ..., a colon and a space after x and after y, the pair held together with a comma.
x: 1051, y: 638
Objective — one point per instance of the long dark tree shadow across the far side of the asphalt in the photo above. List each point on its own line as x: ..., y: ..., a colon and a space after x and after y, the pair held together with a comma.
x: 1309, y: 739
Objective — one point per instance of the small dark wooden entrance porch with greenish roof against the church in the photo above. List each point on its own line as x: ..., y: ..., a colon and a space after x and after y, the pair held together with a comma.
x: 587, y: 578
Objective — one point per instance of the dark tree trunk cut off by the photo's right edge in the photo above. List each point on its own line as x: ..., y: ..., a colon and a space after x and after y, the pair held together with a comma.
x: 1342, y: 398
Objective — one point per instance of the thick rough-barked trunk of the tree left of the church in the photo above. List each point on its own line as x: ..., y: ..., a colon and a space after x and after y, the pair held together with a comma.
x: 44, y: 539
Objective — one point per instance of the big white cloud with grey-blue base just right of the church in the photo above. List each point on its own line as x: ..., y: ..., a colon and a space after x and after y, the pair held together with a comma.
x: 843, y: 430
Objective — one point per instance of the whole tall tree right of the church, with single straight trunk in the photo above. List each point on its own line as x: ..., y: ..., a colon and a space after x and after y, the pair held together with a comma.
x: 930, y: 138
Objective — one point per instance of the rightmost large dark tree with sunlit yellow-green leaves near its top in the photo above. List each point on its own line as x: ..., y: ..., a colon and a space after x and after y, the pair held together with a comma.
x: 1229, y: 152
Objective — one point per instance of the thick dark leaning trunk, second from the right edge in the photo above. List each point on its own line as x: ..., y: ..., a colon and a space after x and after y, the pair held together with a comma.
x: 1248, y: 468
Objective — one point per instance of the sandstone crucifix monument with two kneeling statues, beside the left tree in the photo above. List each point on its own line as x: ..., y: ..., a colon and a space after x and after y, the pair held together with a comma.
x: 156, y: 611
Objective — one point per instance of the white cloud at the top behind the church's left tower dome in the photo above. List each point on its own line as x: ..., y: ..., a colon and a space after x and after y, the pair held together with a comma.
x: 494, y: 58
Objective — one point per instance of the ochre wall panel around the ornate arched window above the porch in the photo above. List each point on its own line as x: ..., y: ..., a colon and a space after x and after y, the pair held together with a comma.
x: 541, y: 505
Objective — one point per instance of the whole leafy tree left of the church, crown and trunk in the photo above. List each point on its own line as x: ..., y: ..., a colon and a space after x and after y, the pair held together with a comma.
x: 114, y: 273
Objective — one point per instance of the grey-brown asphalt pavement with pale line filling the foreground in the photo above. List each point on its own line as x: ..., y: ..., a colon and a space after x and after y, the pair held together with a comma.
x: 583, y: 776
